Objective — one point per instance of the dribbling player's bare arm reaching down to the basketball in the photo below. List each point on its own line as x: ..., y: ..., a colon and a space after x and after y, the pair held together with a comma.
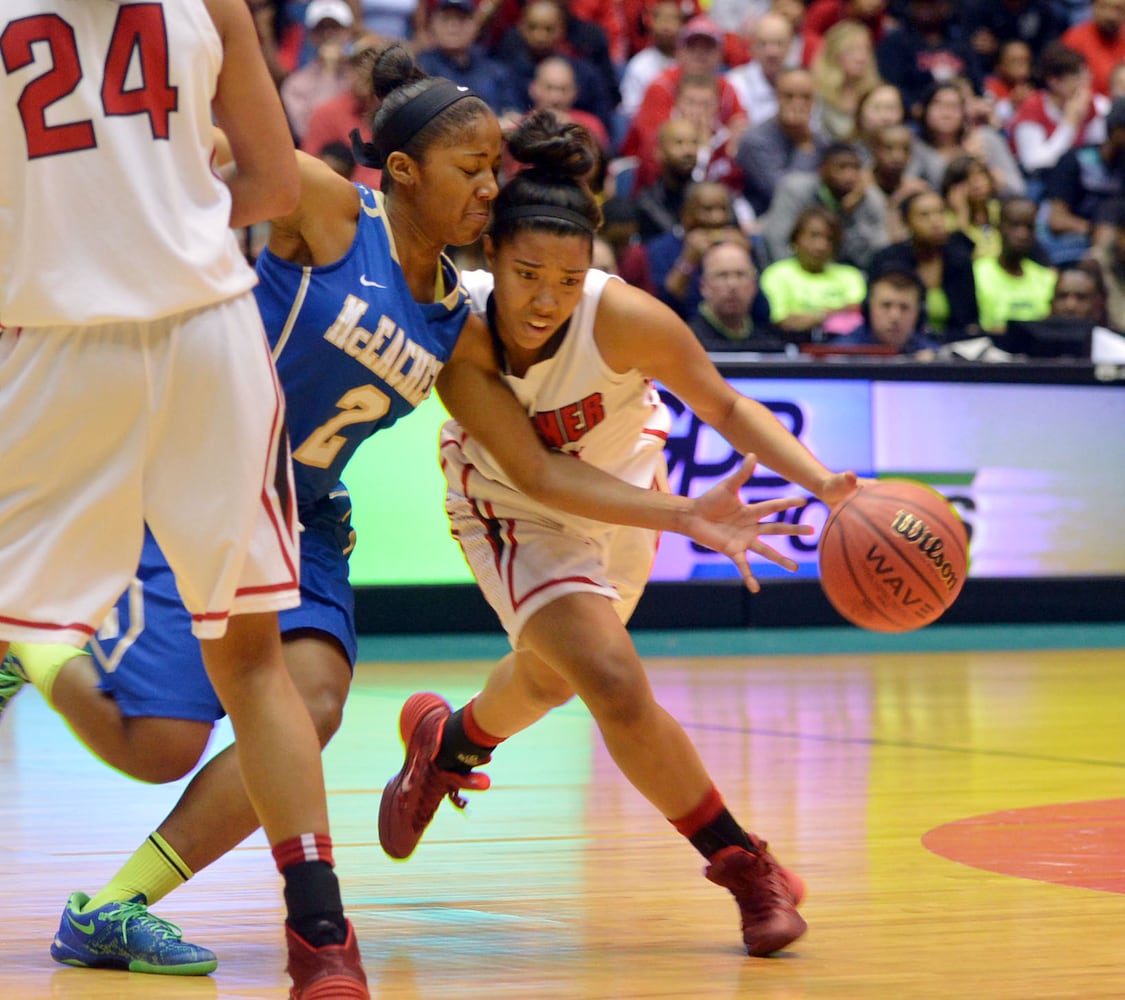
x: 637, y: 331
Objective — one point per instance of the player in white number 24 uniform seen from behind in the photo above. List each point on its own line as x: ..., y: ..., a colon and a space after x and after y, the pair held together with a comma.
x: 137, y: 385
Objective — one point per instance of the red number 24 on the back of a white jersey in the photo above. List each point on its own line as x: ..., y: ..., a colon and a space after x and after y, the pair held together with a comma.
x: 140, y: 37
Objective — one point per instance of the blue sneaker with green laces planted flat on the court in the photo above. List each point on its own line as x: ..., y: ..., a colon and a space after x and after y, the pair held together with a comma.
x: 127, y: 936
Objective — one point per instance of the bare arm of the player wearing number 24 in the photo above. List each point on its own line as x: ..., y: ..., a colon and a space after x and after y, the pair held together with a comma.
x: 263, y: 175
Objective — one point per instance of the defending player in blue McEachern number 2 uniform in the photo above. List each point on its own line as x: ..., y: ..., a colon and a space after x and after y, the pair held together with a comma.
x: 364, y: 313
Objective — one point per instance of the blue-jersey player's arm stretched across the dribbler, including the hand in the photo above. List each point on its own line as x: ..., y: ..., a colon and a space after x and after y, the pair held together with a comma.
x: 476, y: 397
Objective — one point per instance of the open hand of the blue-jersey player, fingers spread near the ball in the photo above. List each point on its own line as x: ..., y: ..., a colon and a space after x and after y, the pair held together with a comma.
x: 722, y: 521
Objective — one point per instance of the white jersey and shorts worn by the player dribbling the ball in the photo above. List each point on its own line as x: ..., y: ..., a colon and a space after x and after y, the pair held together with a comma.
x: 616, y: 422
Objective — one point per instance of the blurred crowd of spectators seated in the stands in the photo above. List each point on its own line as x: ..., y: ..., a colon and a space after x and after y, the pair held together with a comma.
x: 790, y: 174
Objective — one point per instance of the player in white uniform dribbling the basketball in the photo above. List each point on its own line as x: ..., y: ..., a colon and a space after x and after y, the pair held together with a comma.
x: 581, y: 350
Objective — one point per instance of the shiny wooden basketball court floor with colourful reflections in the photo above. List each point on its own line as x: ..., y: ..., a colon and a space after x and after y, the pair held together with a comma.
x: 955, y: 799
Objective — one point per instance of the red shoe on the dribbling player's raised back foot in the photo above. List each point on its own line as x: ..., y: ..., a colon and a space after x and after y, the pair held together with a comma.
x: 412, y: 797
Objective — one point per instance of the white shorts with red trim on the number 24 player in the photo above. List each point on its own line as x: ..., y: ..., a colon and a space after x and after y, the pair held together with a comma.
x: 178, y: 424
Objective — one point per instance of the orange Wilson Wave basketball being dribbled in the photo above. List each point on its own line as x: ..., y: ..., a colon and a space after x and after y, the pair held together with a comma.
x: 894, y: 556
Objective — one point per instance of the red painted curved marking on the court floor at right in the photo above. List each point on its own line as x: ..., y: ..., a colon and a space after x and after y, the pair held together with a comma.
x: 1072, y: 844
